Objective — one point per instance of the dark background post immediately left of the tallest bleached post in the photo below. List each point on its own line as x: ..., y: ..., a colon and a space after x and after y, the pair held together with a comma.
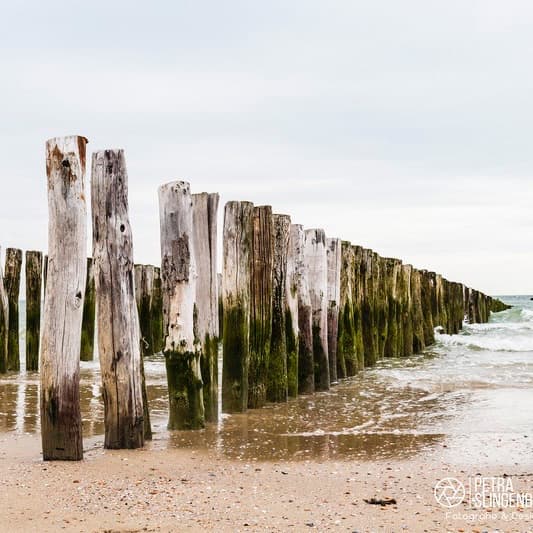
x: 34, y: 273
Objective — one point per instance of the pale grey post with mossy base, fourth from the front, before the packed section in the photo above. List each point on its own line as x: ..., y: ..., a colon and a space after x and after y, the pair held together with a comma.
x: 205, y: 209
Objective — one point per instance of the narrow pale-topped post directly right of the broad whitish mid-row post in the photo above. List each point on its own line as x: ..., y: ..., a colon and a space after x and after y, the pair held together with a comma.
x: 334, y: 255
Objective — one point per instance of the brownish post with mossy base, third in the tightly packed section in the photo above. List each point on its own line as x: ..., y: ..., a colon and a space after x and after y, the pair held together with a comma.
x: 277, y: 387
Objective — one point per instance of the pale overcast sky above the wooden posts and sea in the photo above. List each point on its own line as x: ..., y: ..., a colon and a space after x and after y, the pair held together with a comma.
x: 404, y: 126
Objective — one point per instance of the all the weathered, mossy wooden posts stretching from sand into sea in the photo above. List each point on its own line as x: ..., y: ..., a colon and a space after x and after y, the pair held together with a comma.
x: 297, y: 311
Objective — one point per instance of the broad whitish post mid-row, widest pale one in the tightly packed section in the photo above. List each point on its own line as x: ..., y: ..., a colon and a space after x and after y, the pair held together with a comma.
x: 316, y: 258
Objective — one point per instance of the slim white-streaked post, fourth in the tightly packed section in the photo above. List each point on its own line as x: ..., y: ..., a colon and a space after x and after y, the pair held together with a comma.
x: 291, y: 314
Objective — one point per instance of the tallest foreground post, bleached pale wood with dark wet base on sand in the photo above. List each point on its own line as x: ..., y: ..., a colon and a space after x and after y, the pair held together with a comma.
x: 61, y: 428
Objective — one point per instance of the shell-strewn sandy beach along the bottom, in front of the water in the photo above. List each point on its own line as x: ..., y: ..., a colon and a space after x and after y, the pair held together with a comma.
x: 159, y: 489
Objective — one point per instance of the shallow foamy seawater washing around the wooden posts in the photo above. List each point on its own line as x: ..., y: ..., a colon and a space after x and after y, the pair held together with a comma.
x: 465, y: 400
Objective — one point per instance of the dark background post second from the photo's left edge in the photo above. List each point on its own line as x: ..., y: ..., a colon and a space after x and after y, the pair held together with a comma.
x: 12, y: 286
